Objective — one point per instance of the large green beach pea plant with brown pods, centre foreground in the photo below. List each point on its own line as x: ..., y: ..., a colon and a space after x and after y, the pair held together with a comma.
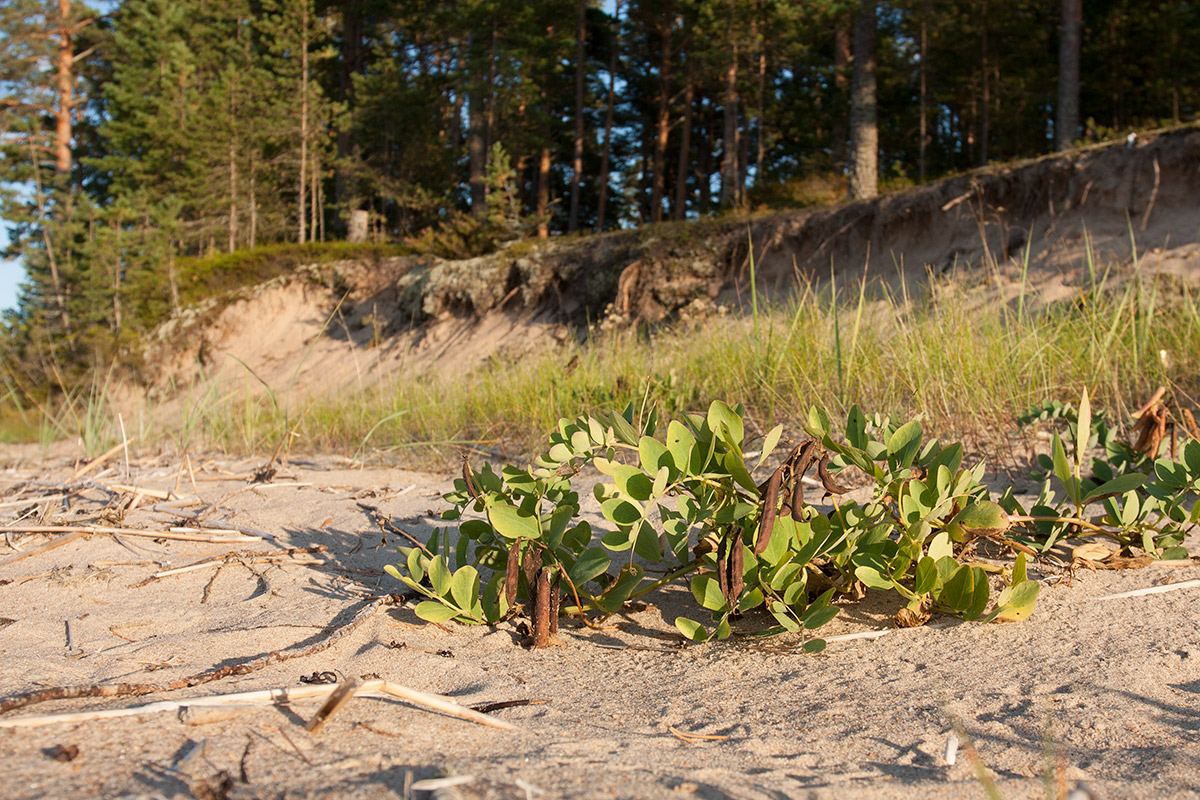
x: 685, y: 496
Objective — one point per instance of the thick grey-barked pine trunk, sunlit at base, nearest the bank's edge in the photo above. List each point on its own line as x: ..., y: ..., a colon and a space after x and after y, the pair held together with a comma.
x: 865, y: 133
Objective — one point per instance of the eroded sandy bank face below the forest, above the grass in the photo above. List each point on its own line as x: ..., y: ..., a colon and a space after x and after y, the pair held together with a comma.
x: 349, y: 326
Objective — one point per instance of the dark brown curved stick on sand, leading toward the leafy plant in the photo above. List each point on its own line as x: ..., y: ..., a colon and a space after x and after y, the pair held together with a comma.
x: 243, y: 669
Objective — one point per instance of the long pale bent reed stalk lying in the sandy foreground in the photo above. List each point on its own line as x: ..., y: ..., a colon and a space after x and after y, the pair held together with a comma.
x: 373, y: 689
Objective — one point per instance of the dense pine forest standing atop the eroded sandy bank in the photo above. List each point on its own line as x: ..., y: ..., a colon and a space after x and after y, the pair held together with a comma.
x: 141, y: 134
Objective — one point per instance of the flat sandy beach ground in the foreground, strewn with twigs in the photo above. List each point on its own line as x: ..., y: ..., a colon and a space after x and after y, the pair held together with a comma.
x: 1107, y: 690
